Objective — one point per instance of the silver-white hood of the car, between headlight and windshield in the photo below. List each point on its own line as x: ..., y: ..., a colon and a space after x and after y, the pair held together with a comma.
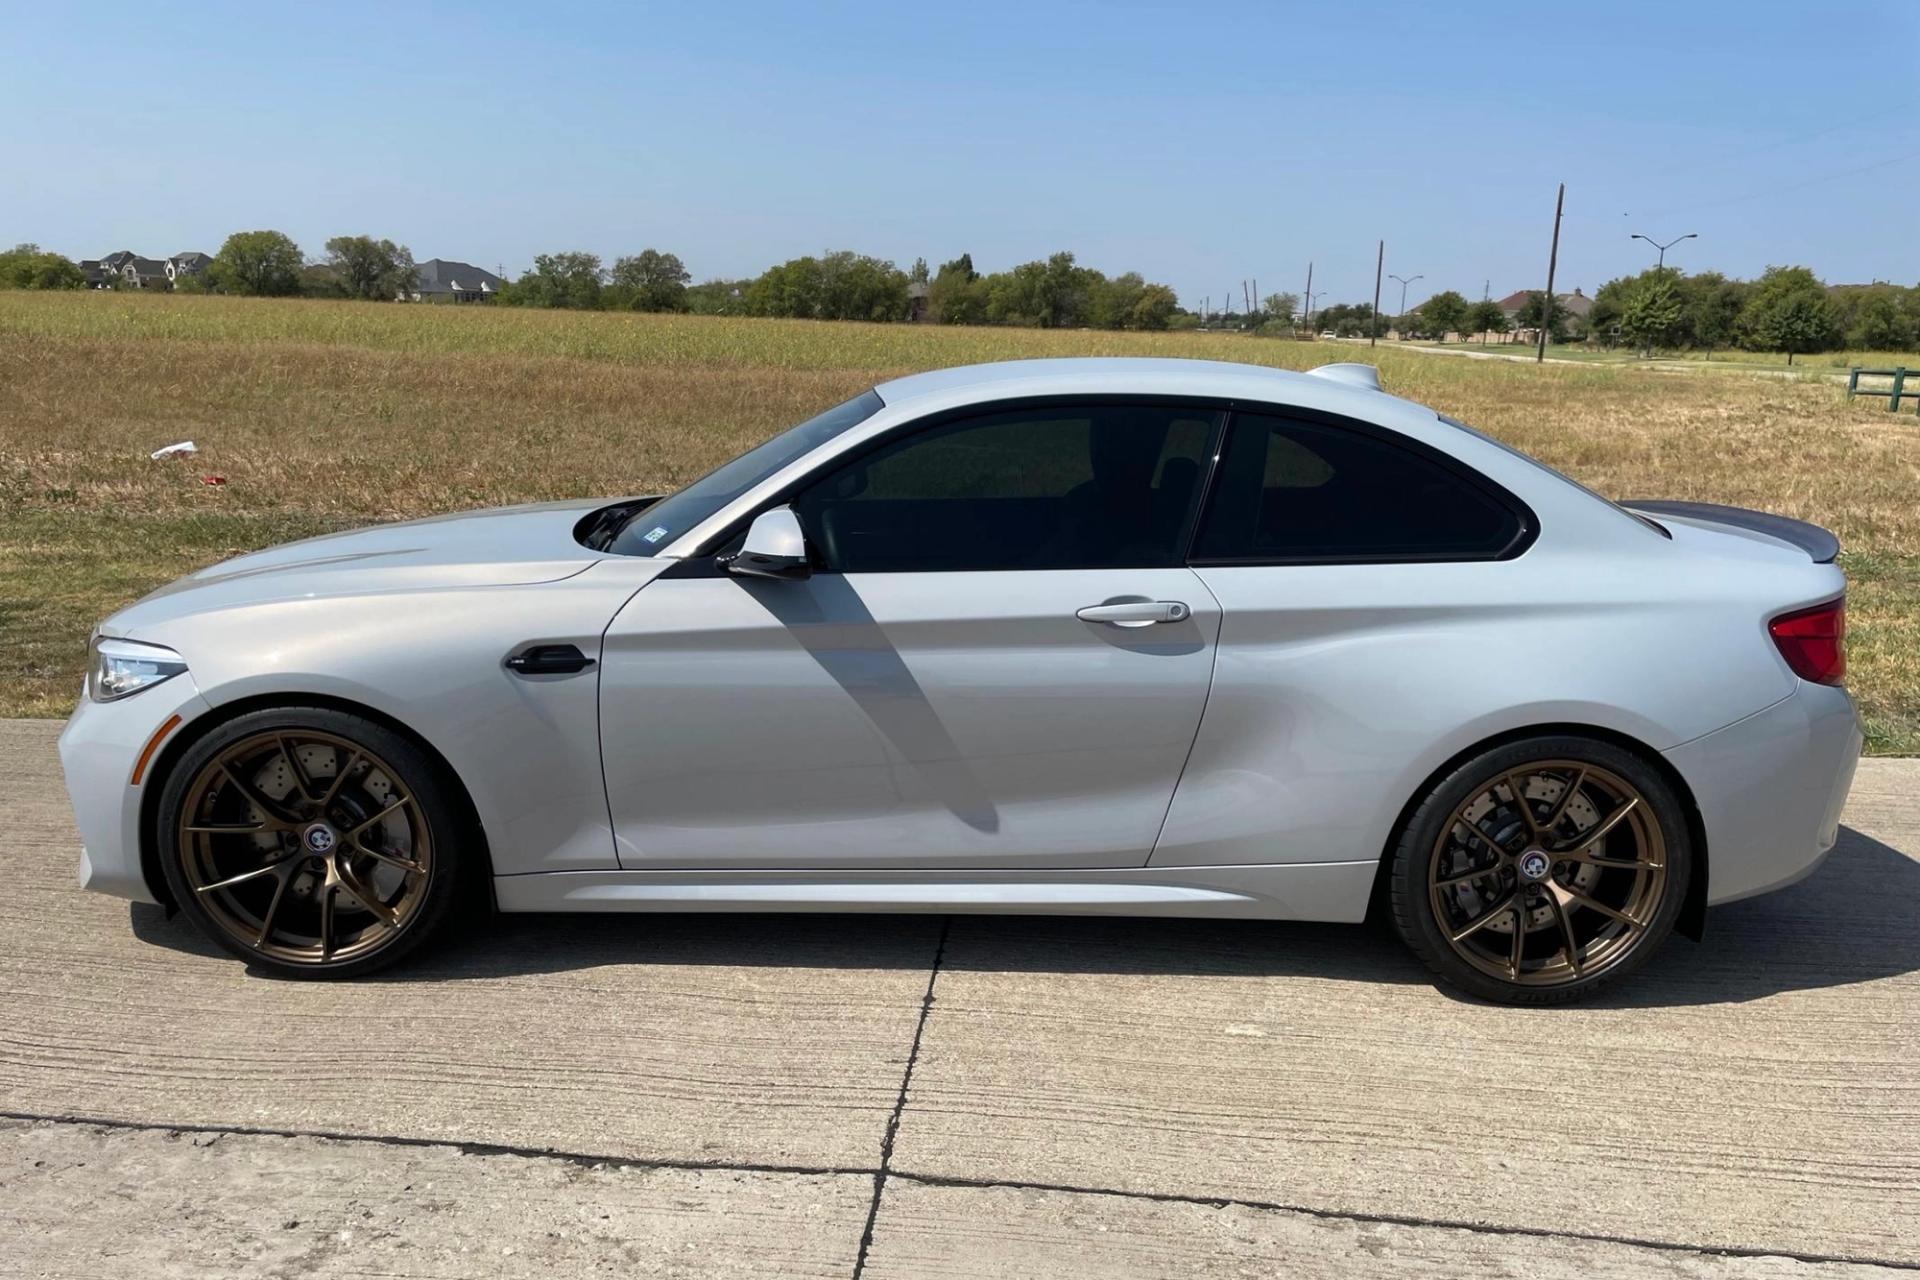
x: 502, y: 548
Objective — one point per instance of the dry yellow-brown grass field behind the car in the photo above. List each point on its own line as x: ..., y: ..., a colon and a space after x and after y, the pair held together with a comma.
x: 327, y: 415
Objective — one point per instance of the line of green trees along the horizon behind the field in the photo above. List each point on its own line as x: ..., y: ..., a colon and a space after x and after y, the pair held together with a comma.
x: 1787, y: 310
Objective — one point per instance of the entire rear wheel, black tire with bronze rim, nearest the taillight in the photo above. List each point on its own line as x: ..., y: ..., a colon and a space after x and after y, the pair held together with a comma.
x: 1441, y: 849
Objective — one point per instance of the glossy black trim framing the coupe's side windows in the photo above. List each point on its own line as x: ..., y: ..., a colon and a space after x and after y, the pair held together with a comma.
x: 704, y: 561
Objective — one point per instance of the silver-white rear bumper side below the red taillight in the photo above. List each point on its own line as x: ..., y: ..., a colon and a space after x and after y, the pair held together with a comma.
x: 1771, y: 790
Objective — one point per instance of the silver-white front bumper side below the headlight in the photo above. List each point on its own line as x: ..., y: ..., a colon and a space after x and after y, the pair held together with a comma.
x: 99, y: 751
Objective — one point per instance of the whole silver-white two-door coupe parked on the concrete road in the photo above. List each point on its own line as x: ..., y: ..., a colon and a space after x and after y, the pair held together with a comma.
x: 1088, y: 636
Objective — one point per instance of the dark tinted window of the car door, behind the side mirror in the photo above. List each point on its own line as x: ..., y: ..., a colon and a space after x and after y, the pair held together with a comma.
x: 1057, y: 486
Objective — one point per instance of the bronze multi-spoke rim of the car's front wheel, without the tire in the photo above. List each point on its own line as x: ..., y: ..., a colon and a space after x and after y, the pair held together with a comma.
x: 304, y: 847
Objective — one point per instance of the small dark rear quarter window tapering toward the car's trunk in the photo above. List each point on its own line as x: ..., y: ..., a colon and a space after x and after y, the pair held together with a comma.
x: 1295, y: 490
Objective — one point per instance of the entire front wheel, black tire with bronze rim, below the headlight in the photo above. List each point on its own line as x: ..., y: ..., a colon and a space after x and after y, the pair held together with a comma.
x: 312, y: 841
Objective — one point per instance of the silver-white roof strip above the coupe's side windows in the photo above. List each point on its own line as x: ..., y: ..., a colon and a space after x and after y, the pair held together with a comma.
x: 1109, y: 375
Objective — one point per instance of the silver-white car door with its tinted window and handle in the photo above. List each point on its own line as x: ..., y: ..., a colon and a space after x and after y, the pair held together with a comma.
x: 971, y: 678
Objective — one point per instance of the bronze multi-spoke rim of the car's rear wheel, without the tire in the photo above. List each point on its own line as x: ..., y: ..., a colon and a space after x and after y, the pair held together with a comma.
x: 1550, y: 874
